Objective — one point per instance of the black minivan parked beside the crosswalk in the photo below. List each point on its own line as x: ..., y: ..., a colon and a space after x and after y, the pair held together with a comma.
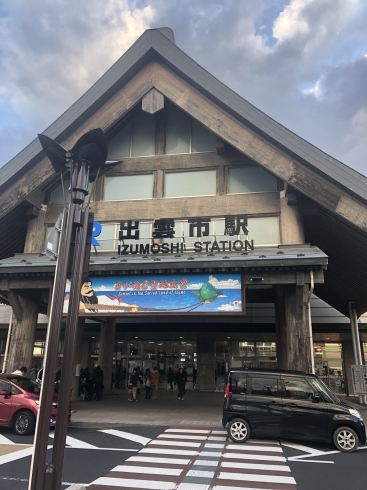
x: 288, y: 404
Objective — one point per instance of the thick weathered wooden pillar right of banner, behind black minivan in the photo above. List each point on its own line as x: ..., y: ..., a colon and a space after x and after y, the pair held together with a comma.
x: 291, y: 316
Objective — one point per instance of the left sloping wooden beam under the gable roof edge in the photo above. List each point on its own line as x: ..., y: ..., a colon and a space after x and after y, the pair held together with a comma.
x: 104, y: 118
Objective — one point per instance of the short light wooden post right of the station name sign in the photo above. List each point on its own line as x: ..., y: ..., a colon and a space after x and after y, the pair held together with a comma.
x: 291, y: 222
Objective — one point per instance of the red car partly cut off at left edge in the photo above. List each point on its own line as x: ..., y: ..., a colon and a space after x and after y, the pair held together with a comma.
x: 19, y: 404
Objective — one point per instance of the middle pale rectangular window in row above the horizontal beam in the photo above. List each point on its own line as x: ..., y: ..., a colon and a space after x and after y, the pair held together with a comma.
x: 194, y: 183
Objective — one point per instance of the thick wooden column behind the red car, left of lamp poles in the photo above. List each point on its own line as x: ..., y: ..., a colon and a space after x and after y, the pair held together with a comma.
x: 24, y: 333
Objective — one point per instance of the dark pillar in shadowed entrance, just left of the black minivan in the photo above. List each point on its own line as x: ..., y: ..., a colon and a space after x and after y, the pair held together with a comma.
x: 205, y: 373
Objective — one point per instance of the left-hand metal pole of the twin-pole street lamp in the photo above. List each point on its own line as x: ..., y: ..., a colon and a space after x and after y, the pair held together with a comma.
x: 38, y: 464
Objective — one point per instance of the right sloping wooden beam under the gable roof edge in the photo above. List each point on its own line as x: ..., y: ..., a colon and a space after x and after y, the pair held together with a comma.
x: 258, y: 148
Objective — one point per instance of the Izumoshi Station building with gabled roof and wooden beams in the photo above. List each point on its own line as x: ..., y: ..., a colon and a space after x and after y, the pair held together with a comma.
x: 221, y: 240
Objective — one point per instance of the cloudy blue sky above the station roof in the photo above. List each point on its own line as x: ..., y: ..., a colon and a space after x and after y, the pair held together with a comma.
x: 302, y: 62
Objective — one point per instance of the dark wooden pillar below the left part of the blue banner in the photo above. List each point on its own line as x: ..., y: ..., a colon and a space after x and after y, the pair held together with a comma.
x: 106, y: 348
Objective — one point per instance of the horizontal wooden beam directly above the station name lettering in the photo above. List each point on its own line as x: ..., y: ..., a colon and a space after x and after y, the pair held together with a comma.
x: 185, y: 207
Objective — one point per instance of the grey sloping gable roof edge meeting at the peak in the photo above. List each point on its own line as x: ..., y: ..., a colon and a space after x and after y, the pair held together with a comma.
x: 159, y: 44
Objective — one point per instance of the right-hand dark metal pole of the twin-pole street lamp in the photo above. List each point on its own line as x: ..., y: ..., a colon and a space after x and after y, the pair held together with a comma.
x: 69, y: 353
